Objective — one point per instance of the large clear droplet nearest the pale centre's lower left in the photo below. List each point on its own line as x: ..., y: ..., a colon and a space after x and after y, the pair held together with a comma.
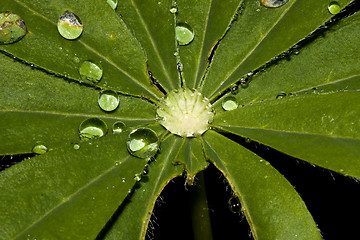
x: 143, y: 143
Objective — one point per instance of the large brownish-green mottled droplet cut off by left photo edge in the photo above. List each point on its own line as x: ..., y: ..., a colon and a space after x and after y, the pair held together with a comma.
x: 12, y: 28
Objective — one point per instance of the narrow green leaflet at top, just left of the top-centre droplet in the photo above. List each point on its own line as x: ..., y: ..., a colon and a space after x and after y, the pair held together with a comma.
x: 155, y: 31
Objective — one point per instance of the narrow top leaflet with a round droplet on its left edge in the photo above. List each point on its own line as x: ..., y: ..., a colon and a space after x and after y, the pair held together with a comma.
x: 209, y: 20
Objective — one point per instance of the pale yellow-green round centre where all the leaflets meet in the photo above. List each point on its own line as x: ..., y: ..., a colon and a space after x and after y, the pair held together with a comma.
x: 185, y: 112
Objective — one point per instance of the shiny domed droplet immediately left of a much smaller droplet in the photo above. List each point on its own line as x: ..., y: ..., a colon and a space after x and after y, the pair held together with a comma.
x: 92, y: 128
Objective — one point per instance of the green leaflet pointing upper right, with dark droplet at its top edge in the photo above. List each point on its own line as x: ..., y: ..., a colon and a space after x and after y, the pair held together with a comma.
x: 260, y: 34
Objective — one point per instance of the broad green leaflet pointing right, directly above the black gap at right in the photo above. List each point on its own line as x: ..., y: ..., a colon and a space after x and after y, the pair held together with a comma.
x: 319, y: 128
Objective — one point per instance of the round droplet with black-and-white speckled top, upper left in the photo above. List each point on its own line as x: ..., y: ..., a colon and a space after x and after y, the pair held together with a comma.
x: 70, y: 26
